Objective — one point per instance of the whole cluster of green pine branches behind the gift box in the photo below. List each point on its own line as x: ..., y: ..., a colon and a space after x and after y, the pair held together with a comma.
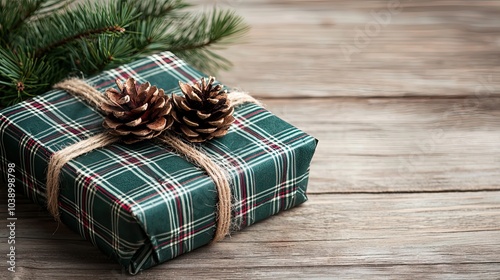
x: 43, y: 41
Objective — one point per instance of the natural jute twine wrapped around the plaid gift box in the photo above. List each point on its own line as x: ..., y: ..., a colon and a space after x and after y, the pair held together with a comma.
x: 80, y: 88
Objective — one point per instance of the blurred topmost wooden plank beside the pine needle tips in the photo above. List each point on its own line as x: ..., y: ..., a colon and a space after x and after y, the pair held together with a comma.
x: 429, y: 48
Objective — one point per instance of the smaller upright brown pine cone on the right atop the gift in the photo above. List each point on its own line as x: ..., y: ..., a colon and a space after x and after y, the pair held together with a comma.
x: 203, y: 112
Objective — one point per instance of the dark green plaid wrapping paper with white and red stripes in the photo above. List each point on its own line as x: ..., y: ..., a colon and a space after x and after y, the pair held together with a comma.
x: 142, y: 204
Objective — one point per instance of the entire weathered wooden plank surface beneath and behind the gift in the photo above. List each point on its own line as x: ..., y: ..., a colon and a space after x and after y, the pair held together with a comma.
x: 405, y: 183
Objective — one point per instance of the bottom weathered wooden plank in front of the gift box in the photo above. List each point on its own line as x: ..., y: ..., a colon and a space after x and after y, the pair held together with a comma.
x: 453, y: 235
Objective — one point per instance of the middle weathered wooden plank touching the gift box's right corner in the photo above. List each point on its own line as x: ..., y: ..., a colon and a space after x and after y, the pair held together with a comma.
x: 399, y: 144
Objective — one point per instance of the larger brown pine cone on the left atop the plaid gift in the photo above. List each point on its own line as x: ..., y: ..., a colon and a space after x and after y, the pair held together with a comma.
x: 137, y: 111
